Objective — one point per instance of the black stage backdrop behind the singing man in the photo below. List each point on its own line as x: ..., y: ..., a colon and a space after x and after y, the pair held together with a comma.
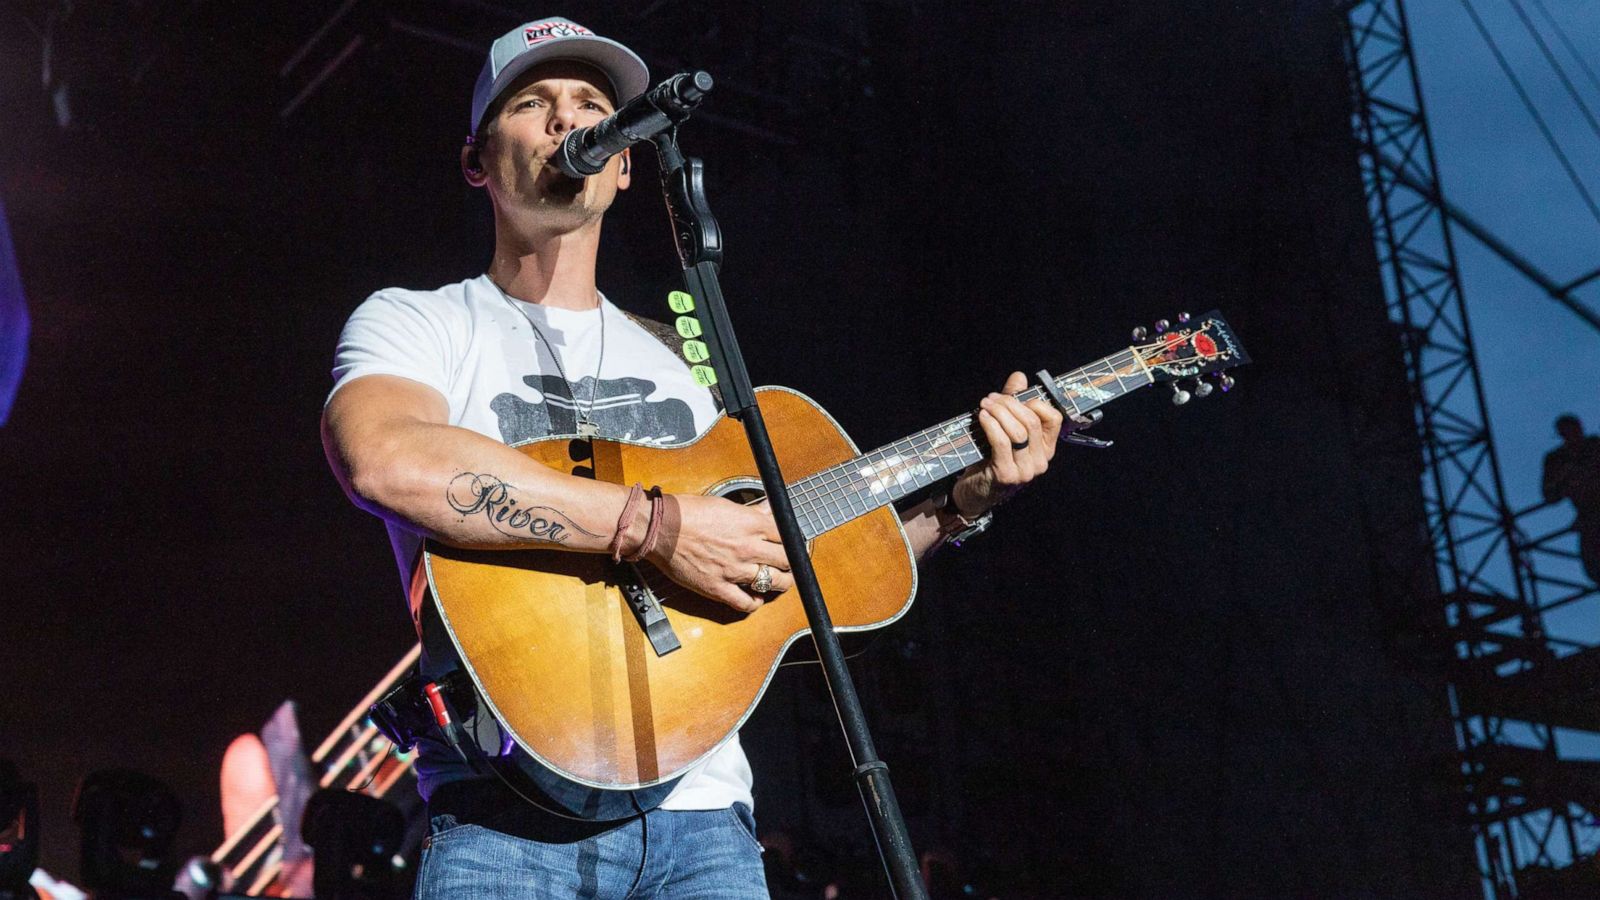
x: 1170, y: 670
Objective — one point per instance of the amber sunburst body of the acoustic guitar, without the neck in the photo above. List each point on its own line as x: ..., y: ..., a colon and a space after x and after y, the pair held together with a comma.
x: 561, y: 657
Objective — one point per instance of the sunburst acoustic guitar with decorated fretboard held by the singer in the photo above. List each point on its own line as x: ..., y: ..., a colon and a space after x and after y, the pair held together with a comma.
x: 617, y: 678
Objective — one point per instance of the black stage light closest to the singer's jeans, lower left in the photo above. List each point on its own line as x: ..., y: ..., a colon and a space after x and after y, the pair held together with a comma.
x: 356, y: 843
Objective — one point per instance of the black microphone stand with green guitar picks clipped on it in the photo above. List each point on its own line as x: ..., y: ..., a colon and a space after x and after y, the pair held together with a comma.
x: 700, y: 249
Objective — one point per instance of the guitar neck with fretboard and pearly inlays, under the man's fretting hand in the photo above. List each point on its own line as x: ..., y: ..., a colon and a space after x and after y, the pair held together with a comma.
x: 844, y: 492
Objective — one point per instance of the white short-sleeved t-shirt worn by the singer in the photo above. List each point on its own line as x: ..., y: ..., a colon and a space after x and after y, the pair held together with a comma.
x: 474, y: 347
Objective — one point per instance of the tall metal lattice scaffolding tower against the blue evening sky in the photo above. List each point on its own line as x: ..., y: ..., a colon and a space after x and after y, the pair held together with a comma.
x: 1511, y: 683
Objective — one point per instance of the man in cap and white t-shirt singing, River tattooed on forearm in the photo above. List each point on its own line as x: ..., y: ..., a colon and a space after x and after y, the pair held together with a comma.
x: 431, y: 387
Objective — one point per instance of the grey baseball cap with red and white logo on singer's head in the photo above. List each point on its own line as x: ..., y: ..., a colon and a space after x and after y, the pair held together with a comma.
x: 556, y: 39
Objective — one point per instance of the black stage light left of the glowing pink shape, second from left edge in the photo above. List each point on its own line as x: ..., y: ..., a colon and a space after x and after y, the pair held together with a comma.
x: 127, y: 822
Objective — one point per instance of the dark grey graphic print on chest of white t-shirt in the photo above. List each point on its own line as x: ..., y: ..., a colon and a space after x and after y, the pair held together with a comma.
x: 620, y: 412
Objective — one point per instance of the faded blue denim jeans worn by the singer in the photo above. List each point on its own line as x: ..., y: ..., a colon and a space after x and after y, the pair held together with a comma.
x: 663, y: 854
